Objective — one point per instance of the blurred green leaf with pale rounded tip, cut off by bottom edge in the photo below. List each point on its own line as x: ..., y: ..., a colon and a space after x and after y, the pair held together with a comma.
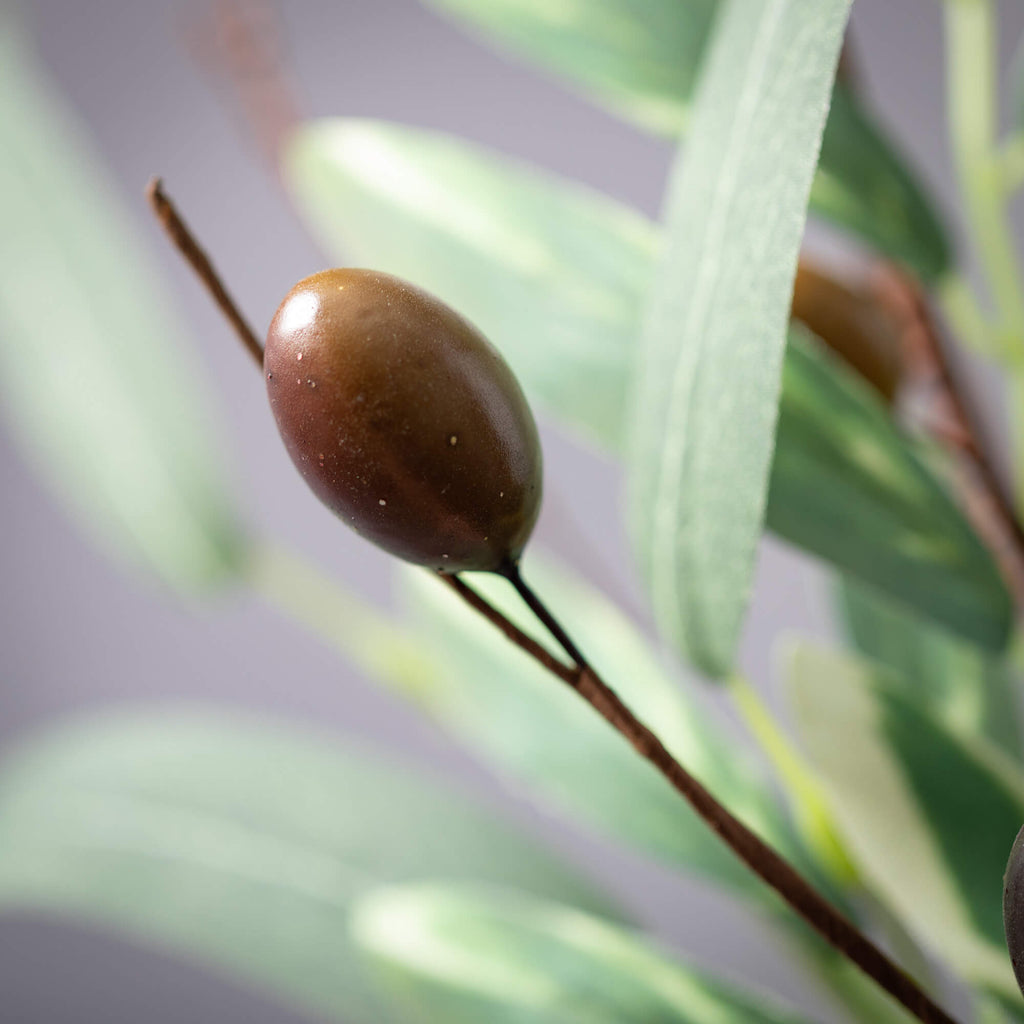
x: 458, y: 956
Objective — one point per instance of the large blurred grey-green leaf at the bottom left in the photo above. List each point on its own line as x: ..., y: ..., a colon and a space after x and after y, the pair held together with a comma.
x: 244, y: 844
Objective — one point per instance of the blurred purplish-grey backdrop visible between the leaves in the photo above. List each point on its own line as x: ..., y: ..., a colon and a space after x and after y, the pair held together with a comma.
x: 77, y: 634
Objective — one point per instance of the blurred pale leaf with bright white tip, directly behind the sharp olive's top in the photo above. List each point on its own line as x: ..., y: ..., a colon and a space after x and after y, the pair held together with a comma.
x: 552, y: 274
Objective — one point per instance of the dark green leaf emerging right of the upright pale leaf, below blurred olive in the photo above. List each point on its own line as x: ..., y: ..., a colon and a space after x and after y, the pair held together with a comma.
x: 849, y: 488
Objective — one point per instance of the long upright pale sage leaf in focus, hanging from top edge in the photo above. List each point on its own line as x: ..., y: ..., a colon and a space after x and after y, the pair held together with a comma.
x: 715, y: 331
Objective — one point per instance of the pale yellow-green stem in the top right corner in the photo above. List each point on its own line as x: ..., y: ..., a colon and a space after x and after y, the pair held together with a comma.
x: 971, y: 81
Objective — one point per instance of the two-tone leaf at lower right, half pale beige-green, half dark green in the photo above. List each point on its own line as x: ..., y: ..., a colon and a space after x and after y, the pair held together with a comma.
x: 928, y: 814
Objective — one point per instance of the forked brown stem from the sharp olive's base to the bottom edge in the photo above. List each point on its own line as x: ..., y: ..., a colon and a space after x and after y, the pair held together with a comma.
x: 753, y: 851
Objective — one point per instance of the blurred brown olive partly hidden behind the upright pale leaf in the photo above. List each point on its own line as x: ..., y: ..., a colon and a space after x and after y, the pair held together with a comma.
x: 852, y: 323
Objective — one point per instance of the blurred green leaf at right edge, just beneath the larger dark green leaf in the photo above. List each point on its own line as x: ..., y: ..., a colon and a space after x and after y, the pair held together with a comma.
x: 962, y: 686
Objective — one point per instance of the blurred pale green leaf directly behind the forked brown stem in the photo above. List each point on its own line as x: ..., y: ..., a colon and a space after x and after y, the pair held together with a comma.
x: 516, y: 716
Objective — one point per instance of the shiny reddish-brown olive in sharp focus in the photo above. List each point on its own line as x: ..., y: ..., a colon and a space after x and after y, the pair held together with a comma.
x: 405, y: 420
